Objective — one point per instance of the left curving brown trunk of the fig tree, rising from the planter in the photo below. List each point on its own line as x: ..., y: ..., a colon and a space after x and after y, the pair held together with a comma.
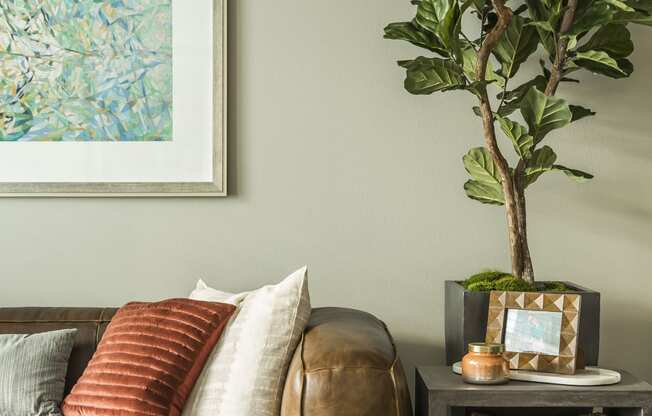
x: 489, y: 43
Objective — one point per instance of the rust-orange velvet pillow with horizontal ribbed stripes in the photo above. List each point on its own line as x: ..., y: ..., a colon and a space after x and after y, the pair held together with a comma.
x: 149, y: 359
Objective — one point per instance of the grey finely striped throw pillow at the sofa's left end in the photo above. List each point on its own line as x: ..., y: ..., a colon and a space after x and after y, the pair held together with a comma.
x: 33, y: 372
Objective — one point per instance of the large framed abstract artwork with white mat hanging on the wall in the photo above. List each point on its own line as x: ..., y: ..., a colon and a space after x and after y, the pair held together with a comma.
x: 113, y: 98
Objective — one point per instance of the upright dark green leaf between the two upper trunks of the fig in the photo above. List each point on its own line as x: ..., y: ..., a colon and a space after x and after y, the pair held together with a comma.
x: 517, y: 44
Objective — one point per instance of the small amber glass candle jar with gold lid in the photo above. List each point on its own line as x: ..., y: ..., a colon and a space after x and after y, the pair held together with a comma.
x: 485, y: 364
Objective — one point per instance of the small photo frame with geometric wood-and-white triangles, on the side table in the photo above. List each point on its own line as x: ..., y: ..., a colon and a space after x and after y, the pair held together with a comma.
x: 539, y: 330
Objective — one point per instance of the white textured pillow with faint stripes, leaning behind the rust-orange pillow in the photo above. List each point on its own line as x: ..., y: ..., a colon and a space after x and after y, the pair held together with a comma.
x: 245, y: 374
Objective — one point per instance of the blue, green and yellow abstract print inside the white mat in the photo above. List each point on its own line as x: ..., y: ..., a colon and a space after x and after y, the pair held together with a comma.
x: 85, y: 70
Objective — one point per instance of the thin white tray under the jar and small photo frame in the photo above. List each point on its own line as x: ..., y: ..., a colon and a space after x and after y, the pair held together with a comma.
x: 591, y: 376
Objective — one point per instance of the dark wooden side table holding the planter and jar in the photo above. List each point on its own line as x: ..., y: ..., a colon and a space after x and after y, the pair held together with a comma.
x: 440, y: 392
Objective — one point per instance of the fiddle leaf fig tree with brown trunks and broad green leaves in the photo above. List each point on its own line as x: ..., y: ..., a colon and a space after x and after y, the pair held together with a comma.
x: 573, y: 35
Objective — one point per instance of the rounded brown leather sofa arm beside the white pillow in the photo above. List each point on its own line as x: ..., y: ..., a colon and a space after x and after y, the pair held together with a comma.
x: 345, y: 365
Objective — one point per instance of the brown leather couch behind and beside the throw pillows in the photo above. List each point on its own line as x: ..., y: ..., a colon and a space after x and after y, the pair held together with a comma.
x: 345, y: 365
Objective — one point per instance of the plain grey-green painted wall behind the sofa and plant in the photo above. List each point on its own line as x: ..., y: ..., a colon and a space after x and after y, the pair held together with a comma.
x: 335, y: 166
